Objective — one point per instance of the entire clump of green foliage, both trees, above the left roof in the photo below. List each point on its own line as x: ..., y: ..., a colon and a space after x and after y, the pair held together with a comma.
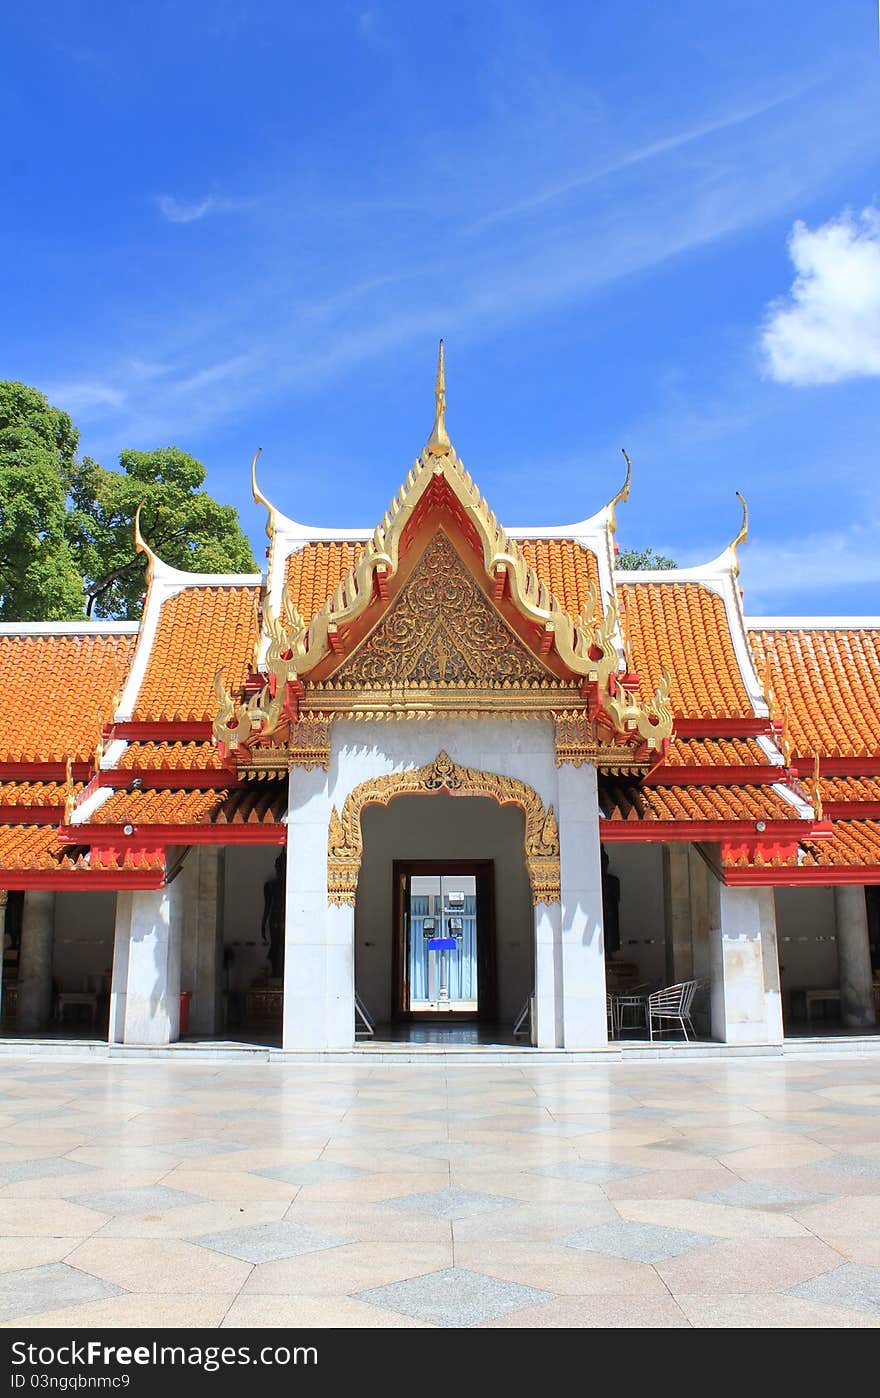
x: 68, y: 525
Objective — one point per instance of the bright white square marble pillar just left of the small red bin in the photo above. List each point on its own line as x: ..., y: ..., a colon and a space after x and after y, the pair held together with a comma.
x: 146, y: 986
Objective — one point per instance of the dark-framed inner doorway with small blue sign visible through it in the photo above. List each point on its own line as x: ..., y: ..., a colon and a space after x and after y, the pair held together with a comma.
x: 444, y: 961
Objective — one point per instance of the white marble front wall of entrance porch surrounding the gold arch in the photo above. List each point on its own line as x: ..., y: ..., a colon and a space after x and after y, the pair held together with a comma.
x: 320, y: 956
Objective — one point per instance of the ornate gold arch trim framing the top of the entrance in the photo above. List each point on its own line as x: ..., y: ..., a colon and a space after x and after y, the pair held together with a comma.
x: 346, y: 841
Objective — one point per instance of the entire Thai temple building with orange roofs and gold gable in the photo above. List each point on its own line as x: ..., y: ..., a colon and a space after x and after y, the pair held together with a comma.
x: 441, y: 774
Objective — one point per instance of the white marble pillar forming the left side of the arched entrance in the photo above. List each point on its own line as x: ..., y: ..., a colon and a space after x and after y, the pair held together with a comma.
x: 318, y: 937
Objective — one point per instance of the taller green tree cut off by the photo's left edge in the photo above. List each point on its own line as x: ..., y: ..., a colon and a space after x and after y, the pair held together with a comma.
x: 38, y: 575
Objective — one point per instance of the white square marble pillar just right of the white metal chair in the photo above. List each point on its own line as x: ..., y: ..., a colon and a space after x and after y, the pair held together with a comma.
x: 745, y: 970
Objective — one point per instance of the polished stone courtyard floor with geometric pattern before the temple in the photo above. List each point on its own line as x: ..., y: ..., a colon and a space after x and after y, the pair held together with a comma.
x: 724, y: 1193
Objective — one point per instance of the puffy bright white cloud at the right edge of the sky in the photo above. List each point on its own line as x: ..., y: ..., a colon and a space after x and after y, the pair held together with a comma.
x: 829, y: 326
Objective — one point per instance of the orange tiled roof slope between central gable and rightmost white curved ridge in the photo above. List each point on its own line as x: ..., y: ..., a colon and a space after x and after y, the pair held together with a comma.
x: 685, y: 627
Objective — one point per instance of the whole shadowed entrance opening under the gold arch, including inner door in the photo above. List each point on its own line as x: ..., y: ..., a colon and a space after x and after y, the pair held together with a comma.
x: 446, y: 860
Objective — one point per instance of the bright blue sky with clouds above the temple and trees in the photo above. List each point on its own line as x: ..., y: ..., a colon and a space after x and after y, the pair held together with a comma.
x: 240, y: 224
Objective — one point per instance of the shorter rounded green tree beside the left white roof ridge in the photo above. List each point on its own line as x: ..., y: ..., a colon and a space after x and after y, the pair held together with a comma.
x: 185, y: 526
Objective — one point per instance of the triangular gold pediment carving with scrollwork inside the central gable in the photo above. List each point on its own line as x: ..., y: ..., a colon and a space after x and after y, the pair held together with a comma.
x: 443, y: 631
